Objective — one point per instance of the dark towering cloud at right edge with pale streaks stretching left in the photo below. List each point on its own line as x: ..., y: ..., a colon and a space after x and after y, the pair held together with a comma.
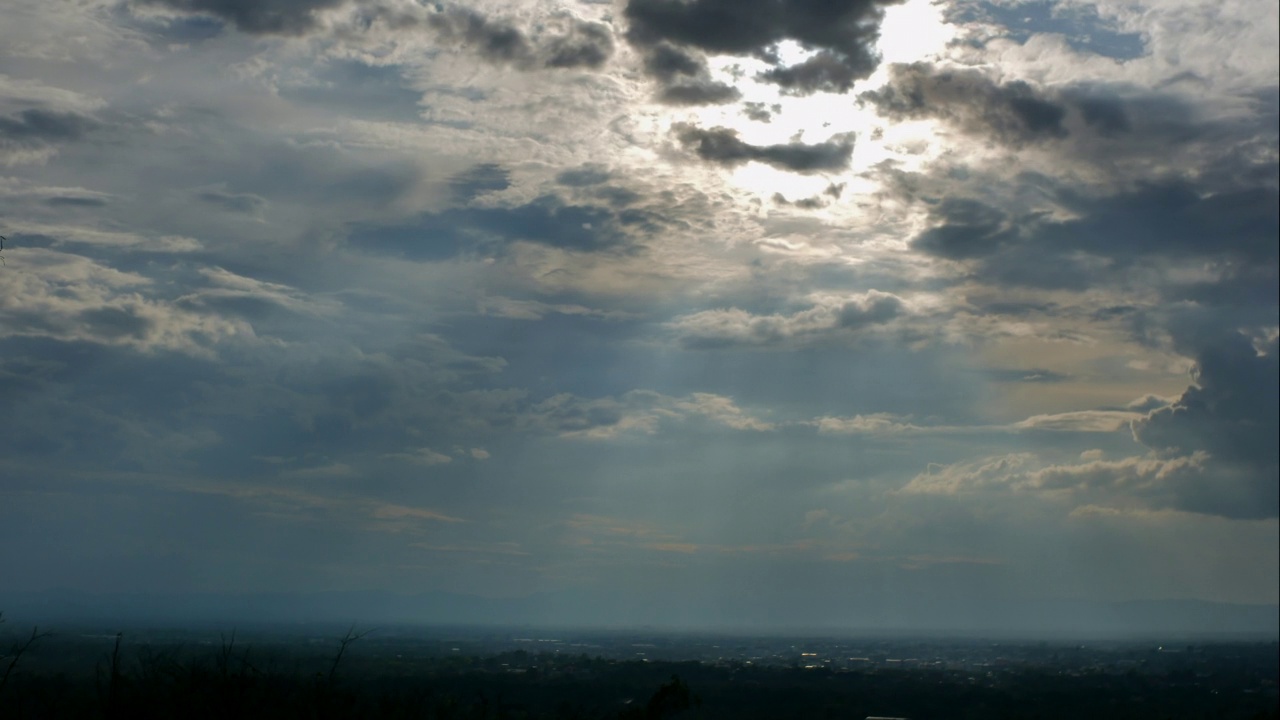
x: 1213, y: 452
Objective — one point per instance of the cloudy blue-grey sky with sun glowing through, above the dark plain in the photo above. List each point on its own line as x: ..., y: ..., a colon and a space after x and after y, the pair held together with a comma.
x: 643, y: 311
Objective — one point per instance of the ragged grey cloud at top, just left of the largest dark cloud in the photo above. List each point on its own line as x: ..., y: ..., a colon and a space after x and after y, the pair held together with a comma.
x: 574, y: 44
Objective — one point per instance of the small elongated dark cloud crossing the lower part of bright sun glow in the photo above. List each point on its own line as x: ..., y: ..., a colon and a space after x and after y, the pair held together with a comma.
x: 724, y: 148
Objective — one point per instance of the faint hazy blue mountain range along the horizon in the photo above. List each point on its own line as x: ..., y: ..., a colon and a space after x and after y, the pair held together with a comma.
x: 1028, y: 619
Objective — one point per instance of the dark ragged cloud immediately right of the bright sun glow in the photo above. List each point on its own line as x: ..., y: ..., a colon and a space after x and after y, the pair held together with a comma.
x: 1013, y: 112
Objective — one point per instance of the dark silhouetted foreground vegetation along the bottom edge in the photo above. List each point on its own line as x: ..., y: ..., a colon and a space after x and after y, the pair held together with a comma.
x: 350, y: 677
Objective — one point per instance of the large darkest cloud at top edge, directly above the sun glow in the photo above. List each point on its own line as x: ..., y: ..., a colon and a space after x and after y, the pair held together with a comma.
x: 844, y: 33
